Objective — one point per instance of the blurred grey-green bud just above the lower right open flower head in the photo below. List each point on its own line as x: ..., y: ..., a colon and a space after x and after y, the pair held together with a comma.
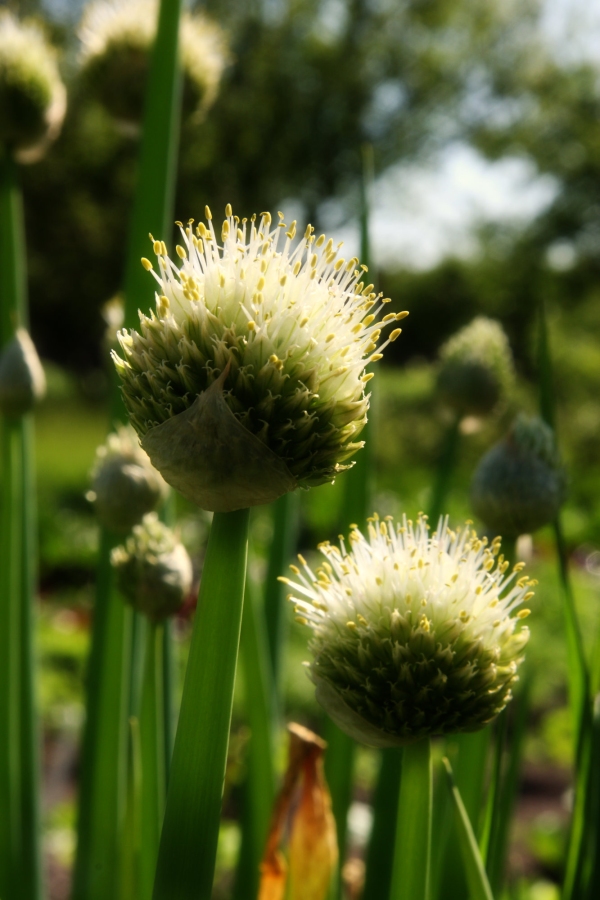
x: 519, y: 485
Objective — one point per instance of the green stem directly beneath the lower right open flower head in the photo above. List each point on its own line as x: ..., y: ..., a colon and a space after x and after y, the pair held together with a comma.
x: 412, y: 858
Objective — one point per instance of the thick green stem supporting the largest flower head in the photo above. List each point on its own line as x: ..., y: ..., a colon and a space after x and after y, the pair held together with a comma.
x: 191, y: 827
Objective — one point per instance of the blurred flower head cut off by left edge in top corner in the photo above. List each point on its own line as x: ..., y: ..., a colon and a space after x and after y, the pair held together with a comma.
x: 32, y: 95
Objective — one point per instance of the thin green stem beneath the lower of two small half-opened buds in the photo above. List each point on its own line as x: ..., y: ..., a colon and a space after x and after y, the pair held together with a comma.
x: 152, y: 747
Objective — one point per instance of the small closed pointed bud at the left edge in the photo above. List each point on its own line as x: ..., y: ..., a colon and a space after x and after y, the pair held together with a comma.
x: 22, y: 379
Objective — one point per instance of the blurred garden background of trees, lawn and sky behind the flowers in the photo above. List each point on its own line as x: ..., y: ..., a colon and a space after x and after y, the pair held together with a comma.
x: 484, y: 122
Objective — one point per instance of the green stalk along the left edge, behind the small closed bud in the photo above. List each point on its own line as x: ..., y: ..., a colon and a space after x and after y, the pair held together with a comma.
x: 20, y: 852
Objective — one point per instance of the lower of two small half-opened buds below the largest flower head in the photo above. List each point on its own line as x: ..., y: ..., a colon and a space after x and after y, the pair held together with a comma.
x: 154, y: 570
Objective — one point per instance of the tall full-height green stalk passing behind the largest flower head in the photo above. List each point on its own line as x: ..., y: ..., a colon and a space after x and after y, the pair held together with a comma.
x: 103, y: 777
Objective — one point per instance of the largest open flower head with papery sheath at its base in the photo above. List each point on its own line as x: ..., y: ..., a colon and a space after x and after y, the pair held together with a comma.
x: 249, y: 380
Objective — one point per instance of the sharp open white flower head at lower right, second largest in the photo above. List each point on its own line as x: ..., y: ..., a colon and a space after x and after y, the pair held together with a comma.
x: 414, y: 633
